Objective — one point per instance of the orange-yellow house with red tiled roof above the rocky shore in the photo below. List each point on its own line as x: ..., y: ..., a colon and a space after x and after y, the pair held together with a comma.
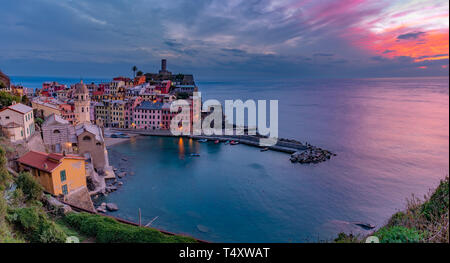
x: 59, y: 174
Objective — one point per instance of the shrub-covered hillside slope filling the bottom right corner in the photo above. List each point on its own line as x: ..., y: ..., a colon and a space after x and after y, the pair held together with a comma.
x: 426, y: 221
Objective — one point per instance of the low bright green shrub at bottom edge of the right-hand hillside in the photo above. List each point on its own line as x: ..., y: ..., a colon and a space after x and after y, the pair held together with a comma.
x: 399, y: 234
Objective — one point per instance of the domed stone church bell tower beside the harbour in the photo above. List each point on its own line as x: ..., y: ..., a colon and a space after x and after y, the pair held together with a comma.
x: 82, y: 103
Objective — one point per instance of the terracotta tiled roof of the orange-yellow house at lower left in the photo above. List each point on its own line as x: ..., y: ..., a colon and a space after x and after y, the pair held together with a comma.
x: 43, y: 161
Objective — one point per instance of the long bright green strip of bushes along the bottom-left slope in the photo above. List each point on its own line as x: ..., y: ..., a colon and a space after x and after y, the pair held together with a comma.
x: 108, y: 230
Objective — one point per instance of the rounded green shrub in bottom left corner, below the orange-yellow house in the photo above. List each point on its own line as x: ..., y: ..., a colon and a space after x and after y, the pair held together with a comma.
x: 36, y: 226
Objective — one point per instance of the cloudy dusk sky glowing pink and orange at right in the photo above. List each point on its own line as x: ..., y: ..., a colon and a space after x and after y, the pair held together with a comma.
x: 225, y: 39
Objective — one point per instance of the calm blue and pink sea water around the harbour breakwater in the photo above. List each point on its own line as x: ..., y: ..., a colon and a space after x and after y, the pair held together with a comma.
x: 391, y: 137
